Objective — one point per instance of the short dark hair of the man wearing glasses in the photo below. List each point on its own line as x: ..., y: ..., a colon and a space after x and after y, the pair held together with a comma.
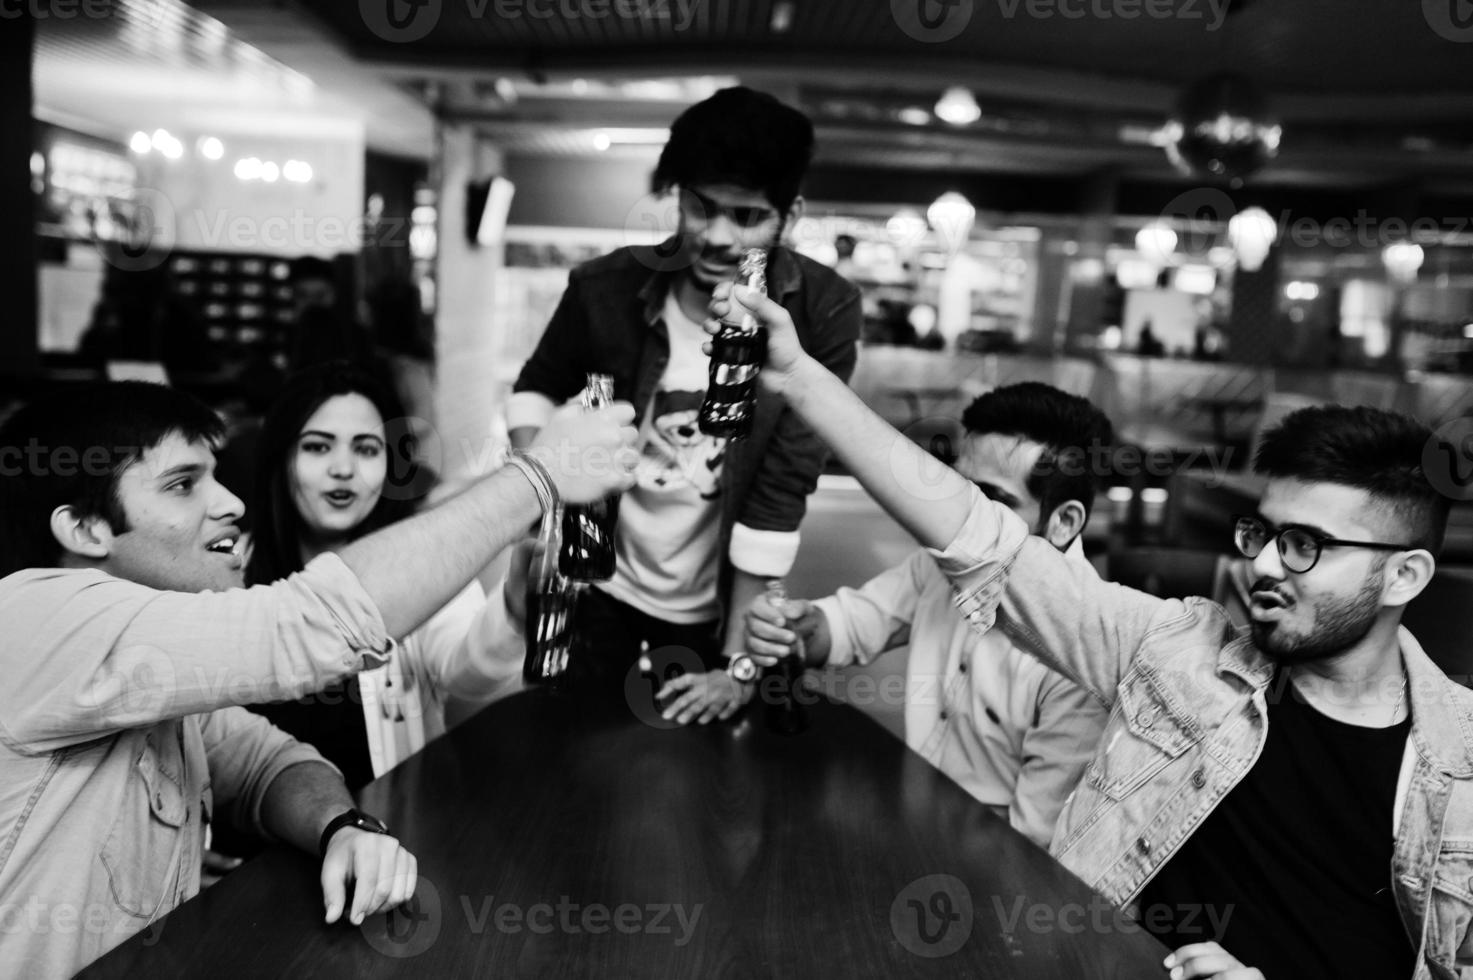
x: 1368, y: 449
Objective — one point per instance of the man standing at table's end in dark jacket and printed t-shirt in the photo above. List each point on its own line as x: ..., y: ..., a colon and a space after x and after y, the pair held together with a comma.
x: 709, y: 521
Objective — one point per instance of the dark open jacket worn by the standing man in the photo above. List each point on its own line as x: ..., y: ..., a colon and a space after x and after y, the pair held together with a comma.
x: 611, y: 321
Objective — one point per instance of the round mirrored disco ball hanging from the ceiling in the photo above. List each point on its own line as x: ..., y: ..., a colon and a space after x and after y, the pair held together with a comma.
x: 1222, y: 129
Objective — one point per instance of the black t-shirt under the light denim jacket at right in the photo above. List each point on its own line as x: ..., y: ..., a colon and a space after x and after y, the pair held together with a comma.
x: 1293, y: 872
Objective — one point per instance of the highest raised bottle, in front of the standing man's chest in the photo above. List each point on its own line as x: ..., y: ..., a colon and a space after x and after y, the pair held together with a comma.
x: 737, y: 354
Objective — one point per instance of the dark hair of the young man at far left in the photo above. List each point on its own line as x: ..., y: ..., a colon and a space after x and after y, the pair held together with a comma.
x: 68, y: 450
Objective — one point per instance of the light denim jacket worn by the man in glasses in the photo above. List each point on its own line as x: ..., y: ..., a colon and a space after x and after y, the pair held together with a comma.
x: 1189, y: 720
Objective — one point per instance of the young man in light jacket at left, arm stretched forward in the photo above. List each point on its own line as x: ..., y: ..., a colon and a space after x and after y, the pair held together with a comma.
x: 129, y: 649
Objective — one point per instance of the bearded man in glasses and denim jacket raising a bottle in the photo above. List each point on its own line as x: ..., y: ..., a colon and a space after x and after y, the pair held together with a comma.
x: 1297, y: 797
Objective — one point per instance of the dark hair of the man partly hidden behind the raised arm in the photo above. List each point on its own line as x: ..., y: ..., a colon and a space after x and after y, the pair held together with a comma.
x: 1069, y: 427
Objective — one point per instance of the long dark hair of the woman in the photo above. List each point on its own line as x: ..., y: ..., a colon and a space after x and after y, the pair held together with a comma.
x: 278, y: 550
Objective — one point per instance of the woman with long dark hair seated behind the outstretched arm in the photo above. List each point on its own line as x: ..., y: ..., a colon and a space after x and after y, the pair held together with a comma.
x: 335, y: 462
